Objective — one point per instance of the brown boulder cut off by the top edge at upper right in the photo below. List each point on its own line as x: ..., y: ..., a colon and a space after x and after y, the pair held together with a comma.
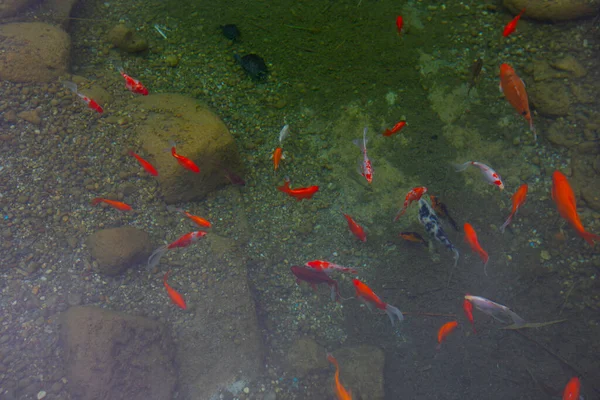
x: 557, y: 10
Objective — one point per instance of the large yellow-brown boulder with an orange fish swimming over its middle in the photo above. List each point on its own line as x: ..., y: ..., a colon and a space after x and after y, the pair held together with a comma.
x: 199, y: 134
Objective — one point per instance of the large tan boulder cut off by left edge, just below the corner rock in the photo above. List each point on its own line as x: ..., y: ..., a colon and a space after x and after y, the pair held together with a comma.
x: 33, y: 52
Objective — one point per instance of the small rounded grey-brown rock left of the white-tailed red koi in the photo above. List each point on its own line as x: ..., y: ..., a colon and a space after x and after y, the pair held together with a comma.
x: 116, y: 249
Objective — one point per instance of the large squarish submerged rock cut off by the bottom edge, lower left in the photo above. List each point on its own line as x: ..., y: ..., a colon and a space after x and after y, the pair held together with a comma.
x: 111, y: 355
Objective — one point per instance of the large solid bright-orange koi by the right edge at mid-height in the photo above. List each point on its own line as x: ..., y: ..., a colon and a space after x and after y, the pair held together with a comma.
x: 563, y: 196
